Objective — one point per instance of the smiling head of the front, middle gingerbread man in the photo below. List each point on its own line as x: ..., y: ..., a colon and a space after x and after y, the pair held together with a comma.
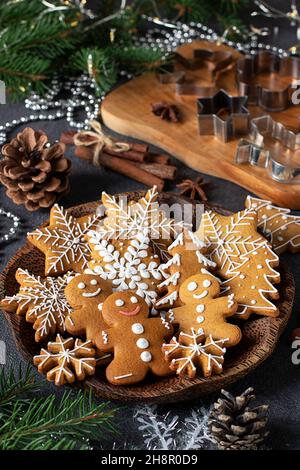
x: 124, y: 306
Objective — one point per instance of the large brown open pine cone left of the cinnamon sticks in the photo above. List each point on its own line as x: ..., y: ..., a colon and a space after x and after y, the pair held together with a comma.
x: 34, y: 174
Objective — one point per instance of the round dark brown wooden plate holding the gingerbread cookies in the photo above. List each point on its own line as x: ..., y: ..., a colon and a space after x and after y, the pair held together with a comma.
x: 260, y: 335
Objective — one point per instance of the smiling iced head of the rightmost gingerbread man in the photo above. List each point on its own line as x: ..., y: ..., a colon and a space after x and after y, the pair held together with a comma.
x: 198, y: 287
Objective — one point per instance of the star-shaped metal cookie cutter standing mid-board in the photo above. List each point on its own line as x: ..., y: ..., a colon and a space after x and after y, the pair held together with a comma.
x: 223, y: 115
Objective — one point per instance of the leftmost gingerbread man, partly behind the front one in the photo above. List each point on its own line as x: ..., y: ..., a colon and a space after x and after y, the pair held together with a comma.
x: 86, y: 294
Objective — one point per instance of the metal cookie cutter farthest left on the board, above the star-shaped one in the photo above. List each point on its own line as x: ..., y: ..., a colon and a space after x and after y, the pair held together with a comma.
x: 217, y: 62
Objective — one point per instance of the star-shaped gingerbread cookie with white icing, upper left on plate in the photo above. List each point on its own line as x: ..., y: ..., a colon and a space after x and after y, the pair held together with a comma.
x: 63, y: 241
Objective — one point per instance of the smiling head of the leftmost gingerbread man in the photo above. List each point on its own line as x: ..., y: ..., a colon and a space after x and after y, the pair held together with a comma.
x: 87, y: 288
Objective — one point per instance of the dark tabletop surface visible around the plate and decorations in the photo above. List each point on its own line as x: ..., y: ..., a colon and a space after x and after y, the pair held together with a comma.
x: 277, y: 381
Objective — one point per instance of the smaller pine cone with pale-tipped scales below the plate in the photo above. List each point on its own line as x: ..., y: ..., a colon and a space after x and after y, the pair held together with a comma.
x: 234, y: 425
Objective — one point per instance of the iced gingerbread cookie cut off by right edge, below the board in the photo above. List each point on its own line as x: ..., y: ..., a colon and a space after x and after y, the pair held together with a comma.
x: 276, y: 224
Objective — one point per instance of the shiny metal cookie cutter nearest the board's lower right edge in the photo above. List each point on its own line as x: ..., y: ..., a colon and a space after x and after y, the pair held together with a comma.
x: 261, y: 151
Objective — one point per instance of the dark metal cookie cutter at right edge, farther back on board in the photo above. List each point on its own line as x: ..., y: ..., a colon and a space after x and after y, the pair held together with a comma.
x: 270, y: 65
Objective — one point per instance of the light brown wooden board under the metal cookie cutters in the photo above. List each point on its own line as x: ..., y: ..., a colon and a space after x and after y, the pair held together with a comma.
x: 127, y: 110
